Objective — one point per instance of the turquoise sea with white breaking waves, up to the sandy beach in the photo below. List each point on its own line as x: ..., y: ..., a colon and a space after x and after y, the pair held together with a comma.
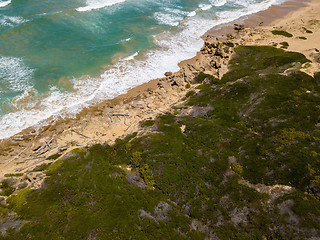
x: 57, y: 57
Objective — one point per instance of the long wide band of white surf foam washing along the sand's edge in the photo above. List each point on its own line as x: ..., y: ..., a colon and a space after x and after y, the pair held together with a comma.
x: 123, y: 75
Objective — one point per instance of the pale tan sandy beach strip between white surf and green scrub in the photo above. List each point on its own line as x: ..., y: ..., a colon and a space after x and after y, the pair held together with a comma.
x: 157, y: 96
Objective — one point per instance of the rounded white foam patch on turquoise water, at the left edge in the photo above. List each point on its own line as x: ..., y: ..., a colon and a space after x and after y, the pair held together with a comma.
x: 14, y: 74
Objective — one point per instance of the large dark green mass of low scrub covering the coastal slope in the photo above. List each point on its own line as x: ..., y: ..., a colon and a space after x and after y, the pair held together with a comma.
x: 255, y: 124
